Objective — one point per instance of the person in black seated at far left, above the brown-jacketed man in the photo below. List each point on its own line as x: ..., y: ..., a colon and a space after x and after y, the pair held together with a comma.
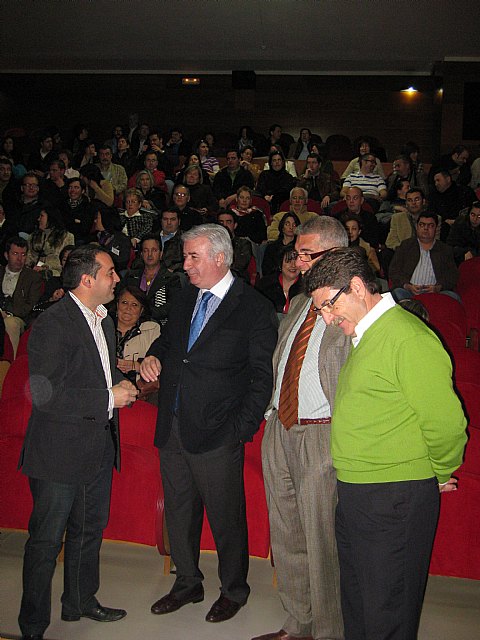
x: 22, y: 215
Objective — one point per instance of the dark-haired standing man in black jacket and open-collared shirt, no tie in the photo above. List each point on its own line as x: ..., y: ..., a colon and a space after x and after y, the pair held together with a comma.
x: 72, y: 442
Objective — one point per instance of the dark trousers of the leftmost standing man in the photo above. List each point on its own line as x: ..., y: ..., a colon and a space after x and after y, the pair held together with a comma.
x: 81, y: 512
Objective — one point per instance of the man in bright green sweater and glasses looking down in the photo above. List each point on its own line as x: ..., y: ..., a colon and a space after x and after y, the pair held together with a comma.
x: 398, y: 433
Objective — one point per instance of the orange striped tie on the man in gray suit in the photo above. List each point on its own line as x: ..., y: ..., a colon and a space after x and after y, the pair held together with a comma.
x: 288, y: 404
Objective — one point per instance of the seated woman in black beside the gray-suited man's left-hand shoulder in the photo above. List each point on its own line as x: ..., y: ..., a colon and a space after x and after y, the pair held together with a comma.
x: 284, y: 283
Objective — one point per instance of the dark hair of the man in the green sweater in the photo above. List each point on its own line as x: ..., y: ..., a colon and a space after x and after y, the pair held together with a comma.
x: 336, y: 270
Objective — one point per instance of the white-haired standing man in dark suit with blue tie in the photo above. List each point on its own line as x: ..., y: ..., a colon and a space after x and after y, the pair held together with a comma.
x: 216, y: 378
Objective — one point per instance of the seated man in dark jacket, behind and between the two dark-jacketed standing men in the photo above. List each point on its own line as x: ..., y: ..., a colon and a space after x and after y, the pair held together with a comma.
x: 154, y: 279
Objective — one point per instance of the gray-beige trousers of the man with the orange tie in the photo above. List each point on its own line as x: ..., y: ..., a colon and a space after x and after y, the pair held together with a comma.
x: 301, y: 489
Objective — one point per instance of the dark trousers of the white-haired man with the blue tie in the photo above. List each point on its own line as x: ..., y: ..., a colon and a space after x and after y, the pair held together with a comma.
x: 213, y: 479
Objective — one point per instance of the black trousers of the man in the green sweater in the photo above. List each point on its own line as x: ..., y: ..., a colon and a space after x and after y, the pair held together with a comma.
x: 385, y: 535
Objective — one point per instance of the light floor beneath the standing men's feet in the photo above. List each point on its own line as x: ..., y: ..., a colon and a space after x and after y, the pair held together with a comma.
x: 132, y: 578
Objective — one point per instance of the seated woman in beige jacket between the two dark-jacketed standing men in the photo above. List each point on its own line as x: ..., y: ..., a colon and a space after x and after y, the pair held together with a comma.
x: 134, y: 330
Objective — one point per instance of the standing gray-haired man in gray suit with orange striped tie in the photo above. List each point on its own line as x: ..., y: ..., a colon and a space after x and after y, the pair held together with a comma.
x: 300, y: 481
